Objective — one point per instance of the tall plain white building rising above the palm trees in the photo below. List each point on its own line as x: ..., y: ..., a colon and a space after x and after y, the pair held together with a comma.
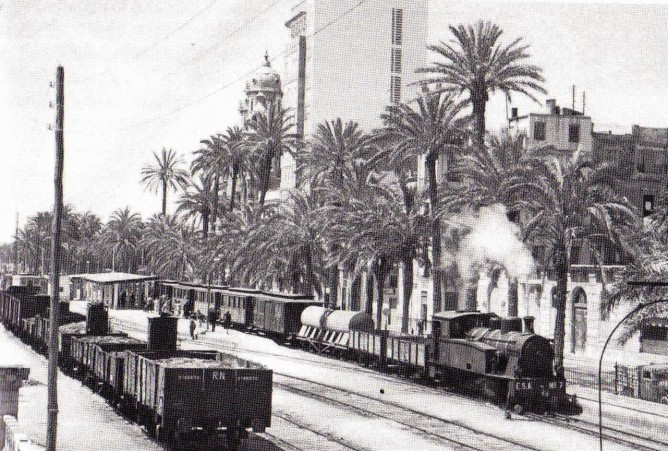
x: 350, y: 59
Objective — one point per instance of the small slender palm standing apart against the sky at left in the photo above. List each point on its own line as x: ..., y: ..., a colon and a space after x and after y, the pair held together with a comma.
x: 164, y: 173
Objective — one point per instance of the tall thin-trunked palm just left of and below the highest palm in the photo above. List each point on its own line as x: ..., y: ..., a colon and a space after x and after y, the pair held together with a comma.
x: 430, y: 131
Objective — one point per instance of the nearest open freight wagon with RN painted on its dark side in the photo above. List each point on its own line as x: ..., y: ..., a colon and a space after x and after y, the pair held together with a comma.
x: 182, y: 395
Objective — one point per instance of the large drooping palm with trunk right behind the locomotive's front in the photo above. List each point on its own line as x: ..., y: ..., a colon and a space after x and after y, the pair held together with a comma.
x: 574, y: 205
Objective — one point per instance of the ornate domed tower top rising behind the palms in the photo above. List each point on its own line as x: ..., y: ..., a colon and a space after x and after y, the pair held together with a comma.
x: 263, y: 91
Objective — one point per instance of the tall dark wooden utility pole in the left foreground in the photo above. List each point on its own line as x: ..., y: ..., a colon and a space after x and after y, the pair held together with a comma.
x: 52, y: 419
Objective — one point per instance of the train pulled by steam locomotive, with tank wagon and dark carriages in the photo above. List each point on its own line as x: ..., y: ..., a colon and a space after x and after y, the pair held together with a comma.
x: 500, y: 359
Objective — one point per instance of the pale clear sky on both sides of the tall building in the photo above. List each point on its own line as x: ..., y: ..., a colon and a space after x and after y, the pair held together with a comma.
x: 146, y: 74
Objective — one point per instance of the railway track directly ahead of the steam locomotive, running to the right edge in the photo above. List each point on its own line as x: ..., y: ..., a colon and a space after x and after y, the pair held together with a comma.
x: 626, y: 438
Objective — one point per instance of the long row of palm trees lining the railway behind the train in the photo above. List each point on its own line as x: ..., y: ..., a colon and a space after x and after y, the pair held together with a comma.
x: 358, y: 207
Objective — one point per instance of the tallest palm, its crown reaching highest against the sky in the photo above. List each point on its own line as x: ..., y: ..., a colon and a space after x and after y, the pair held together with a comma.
x: 477, y: 65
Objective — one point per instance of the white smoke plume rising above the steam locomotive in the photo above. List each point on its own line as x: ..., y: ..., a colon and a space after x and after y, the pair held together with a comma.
x: 491, y: 238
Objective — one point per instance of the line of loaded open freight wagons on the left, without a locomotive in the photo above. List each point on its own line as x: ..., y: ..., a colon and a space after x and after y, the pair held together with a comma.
x: 187, y: 399
